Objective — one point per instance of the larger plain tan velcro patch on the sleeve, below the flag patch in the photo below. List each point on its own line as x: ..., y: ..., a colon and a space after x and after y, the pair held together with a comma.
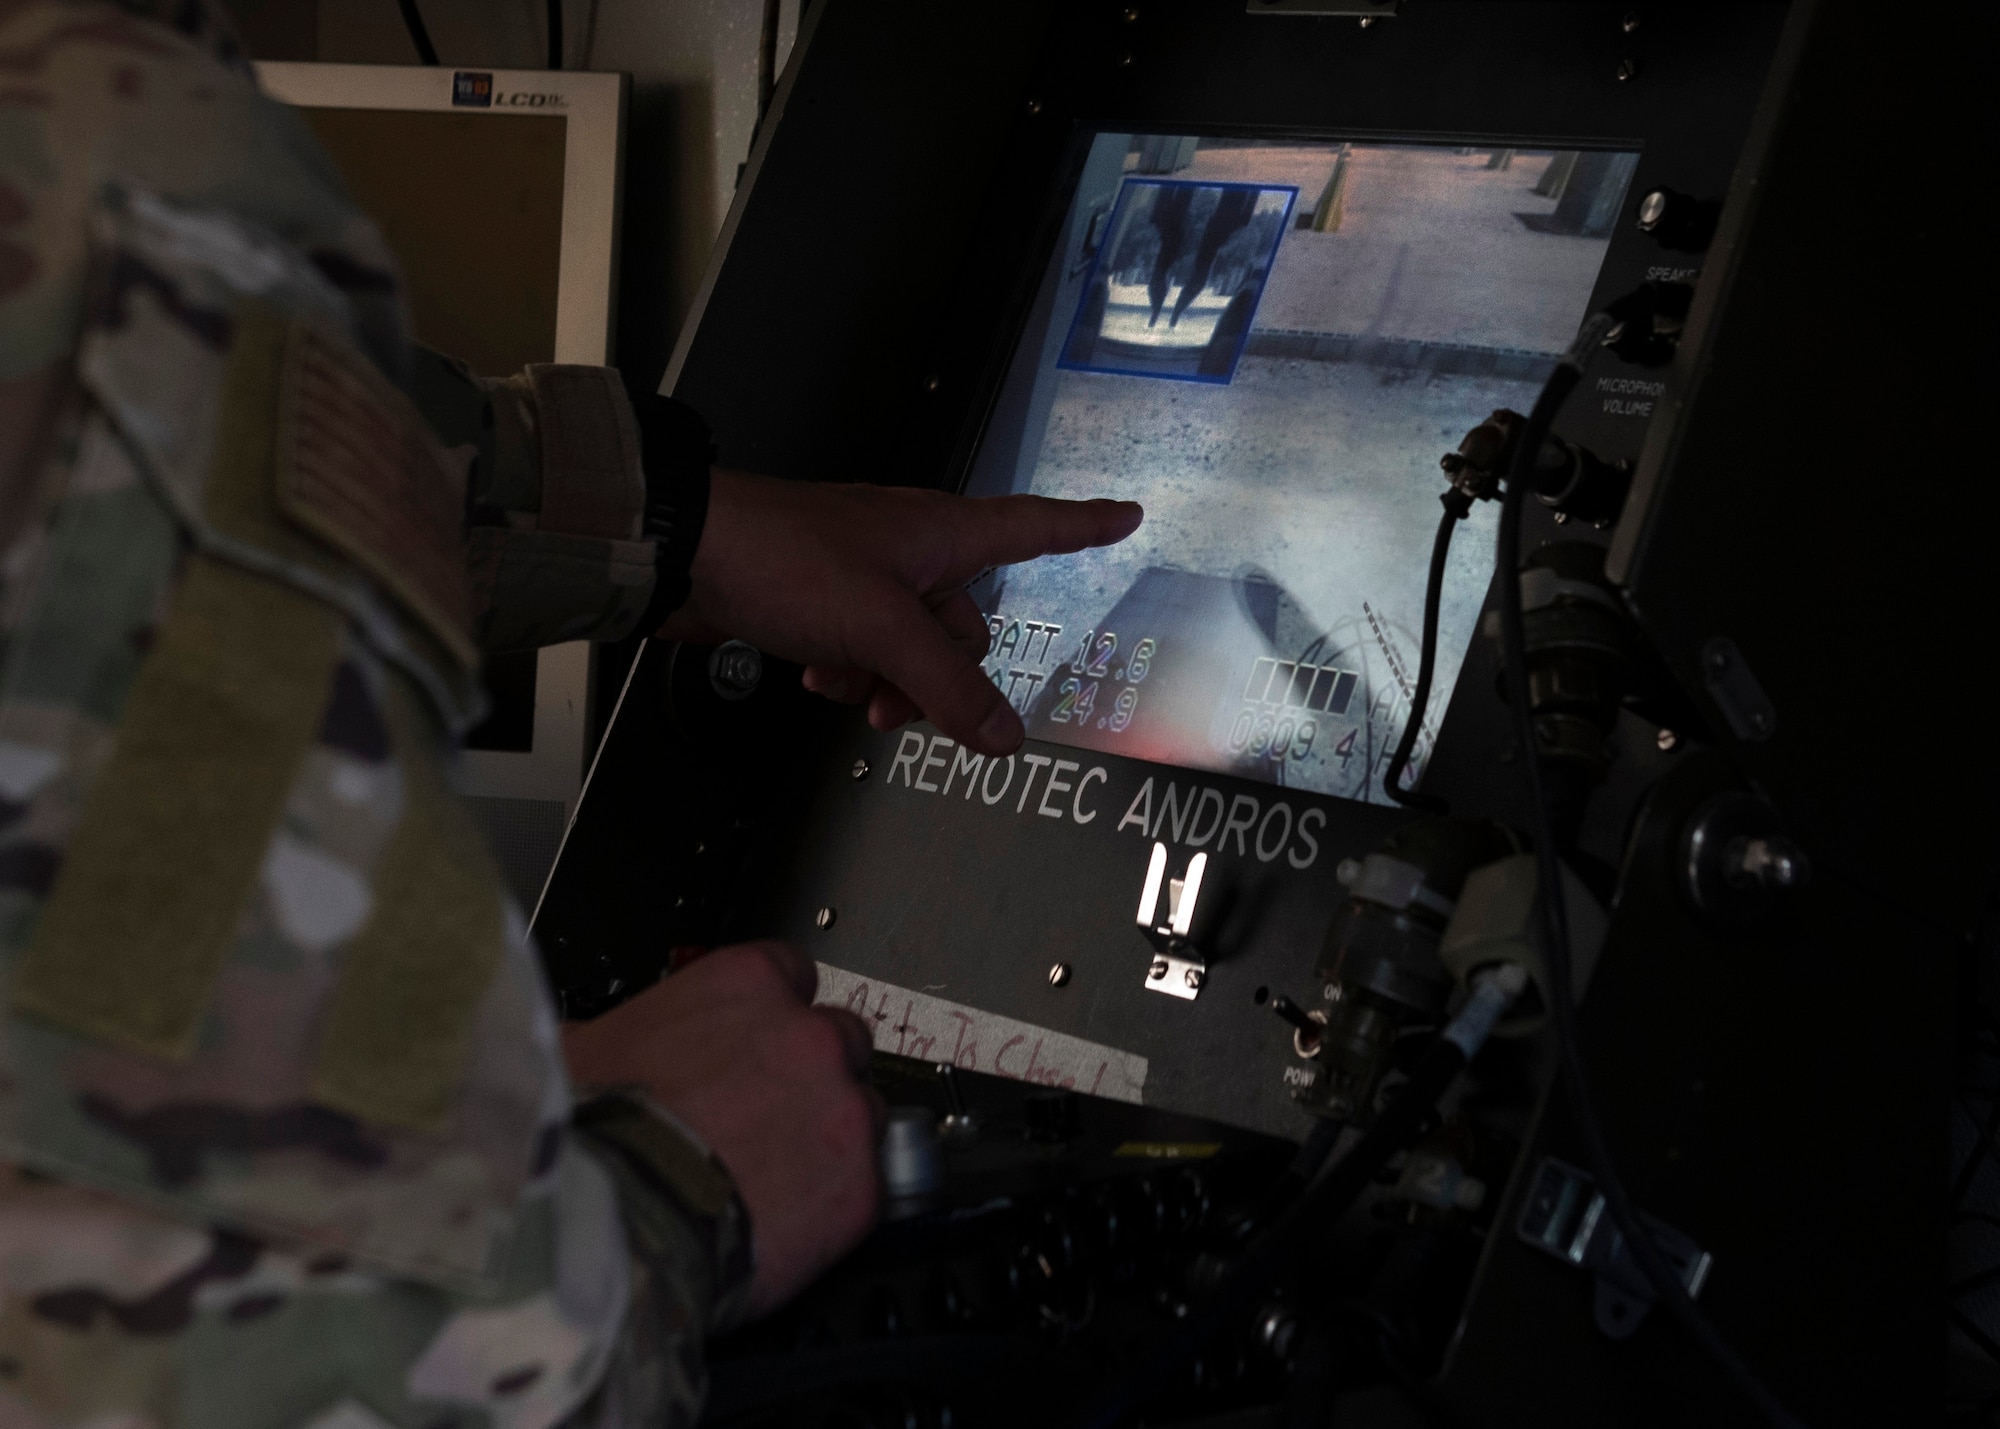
x: 175, y: 830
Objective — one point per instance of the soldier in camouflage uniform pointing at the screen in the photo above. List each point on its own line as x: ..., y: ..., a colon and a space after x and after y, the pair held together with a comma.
x: 287, y: 1122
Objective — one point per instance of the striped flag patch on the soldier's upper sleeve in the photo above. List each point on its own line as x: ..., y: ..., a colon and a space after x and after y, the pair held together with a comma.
x: 361, y: 471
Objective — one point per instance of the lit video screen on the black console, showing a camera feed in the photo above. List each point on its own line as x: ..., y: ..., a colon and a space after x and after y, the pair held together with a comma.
x: 1271, y: 345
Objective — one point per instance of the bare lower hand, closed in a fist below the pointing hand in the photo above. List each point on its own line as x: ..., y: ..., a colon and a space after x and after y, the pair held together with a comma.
x: 733, y: 1048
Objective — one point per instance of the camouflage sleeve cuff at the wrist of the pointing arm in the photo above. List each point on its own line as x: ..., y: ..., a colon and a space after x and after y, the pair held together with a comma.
x: 555, y: 499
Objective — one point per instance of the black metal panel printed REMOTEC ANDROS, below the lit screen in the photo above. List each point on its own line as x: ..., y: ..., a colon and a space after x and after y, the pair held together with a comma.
x: 979, y: 890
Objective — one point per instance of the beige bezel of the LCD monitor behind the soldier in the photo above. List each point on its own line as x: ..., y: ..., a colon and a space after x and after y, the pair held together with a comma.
x: 585, y: 293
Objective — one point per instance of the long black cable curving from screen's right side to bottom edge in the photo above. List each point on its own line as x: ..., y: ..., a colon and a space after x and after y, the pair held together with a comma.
x: 1553, y: 914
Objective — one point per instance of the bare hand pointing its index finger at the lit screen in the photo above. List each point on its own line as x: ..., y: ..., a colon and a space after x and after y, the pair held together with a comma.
x: 865, y: 587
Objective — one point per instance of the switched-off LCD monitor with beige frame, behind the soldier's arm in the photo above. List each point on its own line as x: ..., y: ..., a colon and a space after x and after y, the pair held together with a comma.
x: 499, y: 195
